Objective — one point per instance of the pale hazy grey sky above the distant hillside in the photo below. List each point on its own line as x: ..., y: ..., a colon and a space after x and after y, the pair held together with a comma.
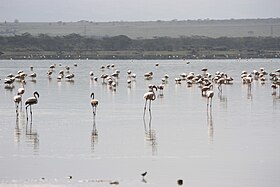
x: 135, y: 10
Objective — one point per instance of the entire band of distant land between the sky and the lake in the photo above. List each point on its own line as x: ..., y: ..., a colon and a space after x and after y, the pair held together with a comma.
x: 236, y: 29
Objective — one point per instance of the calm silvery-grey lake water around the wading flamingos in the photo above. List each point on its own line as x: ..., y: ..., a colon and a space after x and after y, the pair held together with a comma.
x: 235, y: 143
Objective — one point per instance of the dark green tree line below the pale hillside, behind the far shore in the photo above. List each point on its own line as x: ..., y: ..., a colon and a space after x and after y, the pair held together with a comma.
x: 78, y: 43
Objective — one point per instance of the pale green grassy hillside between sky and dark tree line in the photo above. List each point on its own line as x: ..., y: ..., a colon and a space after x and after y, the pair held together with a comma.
x: 152, y: 29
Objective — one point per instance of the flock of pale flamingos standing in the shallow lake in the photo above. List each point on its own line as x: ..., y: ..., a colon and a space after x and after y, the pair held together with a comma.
x: 205, y: 81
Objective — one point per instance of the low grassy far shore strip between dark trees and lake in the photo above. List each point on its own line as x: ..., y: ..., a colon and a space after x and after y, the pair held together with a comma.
x: 134, y: 55
